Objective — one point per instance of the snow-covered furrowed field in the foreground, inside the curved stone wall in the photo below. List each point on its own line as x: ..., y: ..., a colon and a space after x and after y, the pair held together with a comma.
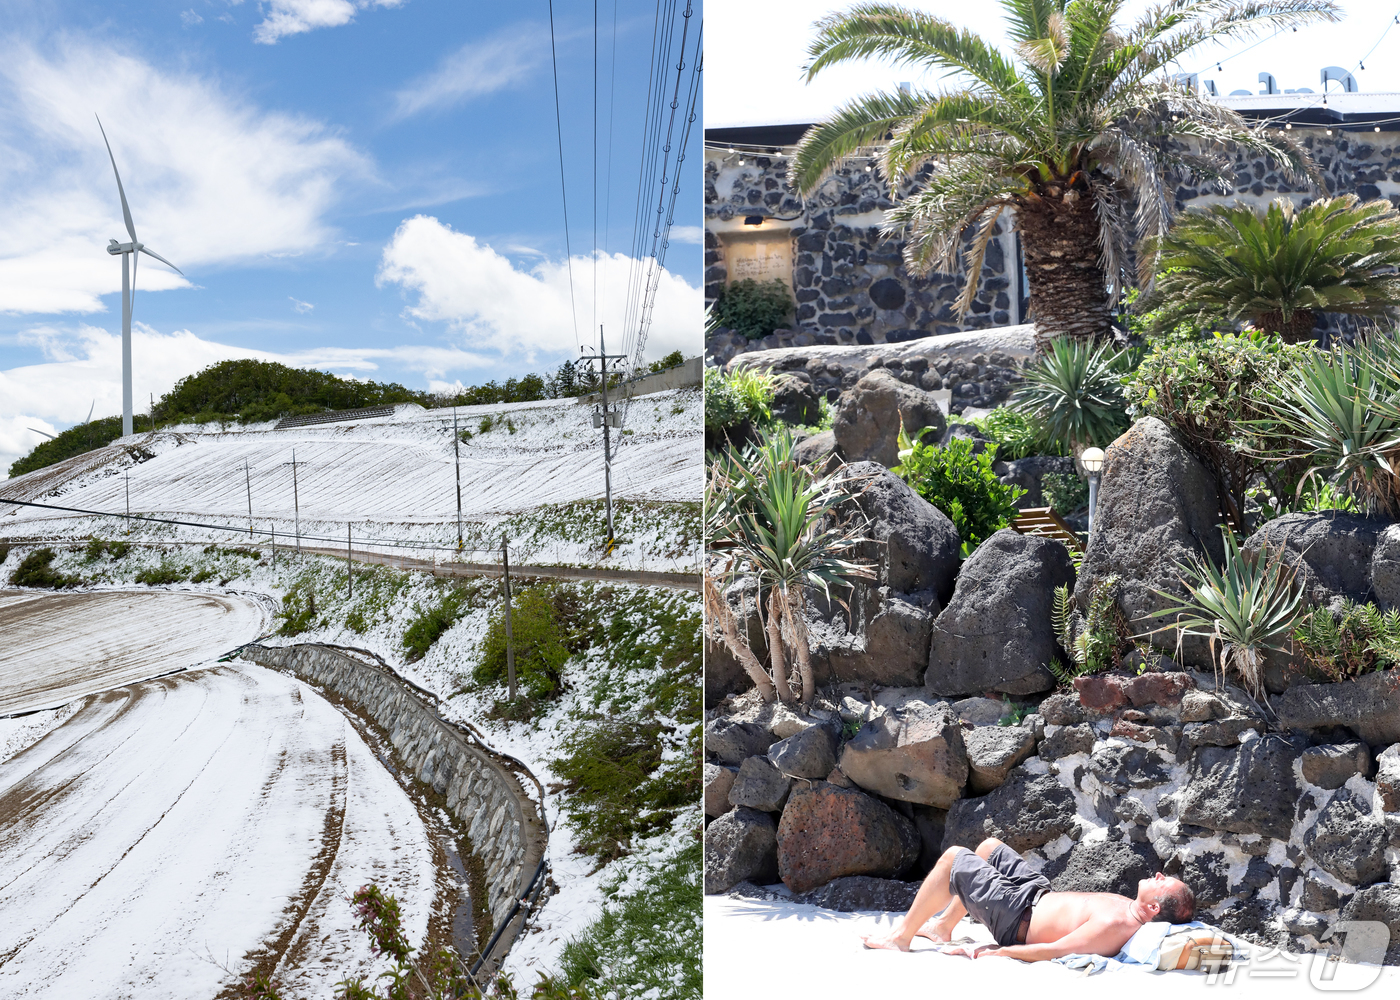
x: 169, y: 830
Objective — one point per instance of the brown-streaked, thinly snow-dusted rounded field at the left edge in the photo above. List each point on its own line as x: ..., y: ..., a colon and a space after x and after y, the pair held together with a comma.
x: 128, y: 637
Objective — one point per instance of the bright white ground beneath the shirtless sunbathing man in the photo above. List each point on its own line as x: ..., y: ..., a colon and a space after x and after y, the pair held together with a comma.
x: 778, y: 949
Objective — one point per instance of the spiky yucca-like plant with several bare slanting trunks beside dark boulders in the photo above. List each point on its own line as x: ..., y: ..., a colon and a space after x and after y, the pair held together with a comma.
x: 771, y: 519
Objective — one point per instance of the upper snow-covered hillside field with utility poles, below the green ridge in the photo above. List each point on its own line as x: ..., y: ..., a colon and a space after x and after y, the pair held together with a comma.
x: 395, y: 480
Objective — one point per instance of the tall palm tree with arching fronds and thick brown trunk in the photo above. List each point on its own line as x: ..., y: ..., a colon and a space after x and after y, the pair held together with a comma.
x: 1086, y: 125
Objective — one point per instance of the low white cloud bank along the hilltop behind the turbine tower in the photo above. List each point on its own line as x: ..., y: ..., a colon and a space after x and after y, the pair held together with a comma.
x: 83, y: 372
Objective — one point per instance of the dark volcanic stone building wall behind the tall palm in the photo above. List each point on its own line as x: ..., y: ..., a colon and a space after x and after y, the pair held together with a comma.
x: 852, y: 286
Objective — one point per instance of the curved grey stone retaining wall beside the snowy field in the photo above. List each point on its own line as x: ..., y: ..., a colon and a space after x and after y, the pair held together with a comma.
x: 503, y: 823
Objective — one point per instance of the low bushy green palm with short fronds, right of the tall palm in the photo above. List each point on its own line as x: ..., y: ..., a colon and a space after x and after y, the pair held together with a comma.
x: 1280, y: 267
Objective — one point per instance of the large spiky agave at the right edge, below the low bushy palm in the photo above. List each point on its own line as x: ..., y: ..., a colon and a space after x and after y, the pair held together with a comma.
x: 1342, y: 411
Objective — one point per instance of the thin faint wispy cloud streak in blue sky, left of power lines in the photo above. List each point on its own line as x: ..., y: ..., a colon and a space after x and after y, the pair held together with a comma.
x: 475, y: 71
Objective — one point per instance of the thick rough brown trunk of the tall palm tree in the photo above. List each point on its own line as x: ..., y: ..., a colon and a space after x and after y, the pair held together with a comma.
x: 1069, y: 289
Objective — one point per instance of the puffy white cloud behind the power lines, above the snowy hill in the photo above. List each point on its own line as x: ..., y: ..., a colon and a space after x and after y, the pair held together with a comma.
x: 500, y: 309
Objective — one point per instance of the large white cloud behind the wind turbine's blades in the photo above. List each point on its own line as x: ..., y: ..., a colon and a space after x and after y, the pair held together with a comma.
x: 211, y: 180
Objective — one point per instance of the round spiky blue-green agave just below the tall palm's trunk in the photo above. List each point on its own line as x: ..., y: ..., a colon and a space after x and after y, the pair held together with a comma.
x: 1074, y: 391
